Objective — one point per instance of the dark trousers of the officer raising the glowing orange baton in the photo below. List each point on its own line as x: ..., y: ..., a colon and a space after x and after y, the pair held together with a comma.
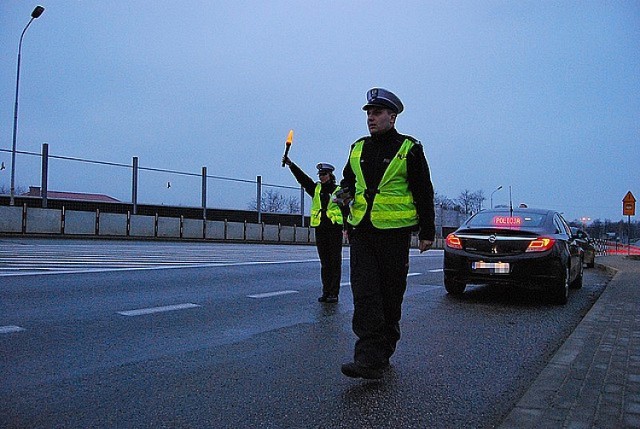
x: 329, y: 244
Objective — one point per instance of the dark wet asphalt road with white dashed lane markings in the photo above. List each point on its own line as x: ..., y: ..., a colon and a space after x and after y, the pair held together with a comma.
x: 124, y: 334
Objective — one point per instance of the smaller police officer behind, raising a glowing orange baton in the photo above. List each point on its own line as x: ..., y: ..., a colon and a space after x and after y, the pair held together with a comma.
x: 327, y: 219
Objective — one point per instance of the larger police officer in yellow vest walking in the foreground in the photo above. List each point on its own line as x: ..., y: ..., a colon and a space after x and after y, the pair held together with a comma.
x: 390, y: 195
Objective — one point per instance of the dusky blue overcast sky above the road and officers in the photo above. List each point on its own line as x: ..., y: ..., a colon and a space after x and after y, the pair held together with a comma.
x: 539, y: 96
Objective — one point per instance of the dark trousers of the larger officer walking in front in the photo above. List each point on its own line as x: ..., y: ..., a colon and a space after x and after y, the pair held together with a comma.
x: 379, y: 268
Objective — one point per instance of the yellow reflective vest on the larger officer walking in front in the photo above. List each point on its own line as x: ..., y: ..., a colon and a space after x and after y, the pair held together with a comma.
x: 393, y: 205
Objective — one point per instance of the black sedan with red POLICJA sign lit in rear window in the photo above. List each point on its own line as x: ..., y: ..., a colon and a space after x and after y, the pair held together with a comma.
x: 525, y: 247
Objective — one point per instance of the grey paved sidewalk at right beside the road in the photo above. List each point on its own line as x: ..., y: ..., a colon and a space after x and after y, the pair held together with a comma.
x: 593, y: 380
